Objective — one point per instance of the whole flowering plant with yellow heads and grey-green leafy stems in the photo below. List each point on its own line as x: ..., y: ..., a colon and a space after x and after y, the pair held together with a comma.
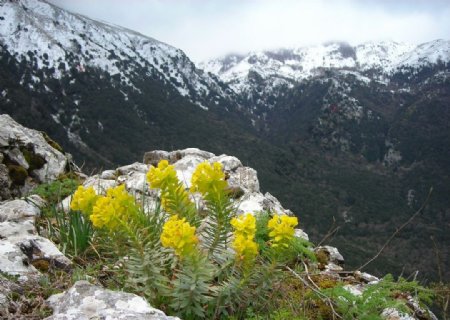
x: 179, y: 262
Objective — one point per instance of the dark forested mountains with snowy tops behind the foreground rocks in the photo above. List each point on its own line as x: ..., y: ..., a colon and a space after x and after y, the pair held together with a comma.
x: 350, y: 135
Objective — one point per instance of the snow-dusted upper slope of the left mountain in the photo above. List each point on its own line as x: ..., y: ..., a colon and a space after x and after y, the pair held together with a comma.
x: 62, y: 40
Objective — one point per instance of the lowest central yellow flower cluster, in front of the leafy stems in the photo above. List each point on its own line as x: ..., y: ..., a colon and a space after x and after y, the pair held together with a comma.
x: 179, y: 235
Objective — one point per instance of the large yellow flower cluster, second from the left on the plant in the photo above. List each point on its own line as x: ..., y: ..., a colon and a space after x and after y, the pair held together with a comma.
x: 109, y: 209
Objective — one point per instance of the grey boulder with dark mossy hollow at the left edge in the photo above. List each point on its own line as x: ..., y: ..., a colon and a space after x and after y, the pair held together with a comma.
x: 27, y: 158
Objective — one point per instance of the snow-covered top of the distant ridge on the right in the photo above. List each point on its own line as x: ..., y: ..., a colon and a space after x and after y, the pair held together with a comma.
x: 373, y: 61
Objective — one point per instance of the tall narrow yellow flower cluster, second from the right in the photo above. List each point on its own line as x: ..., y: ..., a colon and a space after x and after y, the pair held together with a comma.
x: 244, y: 237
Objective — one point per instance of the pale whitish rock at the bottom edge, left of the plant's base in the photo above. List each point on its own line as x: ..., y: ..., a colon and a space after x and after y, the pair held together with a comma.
x: 85, y: 301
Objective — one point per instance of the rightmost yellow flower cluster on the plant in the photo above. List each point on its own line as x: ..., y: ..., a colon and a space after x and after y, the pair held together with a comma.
x: 282, y: 229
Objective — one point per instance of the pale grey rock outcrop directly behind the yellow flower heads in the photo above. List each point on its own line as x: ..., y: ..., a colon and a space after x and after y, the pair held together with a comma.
x: 243, y: 181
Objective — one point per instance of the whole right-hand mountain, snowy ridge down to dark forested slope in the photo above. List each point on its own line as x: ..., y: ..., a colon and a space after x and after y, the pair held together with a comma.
x: 369, y: 128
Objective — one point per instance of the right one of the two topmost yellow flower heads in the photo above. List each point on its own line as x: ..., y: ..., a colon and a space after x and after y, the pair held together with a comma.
x: 208, y: 178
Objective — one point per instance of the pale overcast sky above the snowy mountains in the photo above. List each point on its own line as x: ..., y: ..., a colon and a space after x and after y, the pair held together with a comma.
x: 209, y: 28
